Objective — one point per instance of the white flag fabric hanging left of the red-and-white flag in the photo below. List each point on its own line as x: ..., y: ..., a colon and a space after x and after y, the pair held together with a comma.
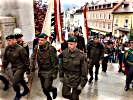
x: 47, y: 22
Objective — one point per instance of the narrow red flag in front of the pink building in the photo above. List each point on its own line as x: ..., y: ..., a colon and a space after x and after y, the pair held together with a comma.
x: 86, y: 33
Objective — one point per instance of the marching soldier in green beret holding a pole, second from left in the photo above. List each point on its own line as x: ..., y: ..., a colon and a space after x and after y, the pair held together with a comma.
x: 46, y: 57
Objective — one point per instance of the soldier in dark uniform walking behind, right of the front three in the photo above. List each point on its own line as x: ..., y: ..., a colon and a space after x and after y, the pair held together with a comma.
x: 95, y: 53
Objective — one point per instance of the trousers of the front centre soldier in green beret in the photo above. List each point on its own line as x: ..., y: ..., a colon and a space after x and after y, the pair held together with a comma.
x: 66, y: 93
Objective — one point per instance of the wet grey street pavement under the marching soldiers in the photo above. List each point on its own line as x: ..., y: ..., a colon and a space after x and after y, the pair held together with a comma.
x: 110, y: 86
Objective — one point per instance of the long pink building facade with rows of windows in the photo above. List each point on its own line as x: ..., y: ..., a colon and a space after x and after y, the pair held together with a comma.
x: 100, y: 18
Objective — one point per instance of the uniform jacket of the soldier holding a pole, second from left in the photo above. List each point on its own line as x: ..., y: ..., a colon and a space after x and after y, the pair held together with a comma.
x: 46, y: 57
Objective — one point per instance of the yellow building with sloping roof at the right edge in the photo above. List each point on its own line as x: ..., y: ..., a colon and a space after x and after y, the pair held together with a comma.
x: 123, y: 19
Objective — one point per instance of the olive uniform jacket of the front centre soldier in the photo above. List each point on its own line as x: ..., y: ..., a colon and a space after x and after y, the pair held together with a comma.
x: 73, y: 69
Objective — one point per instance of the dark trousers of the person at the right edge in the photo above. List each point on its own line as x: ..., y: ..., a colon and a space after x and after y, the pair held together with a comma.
x: 129, y: 76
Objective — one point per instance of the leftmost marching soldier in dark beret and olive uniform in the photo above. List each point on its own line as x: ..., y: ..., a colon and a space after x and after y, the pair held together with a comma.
x: 17, y: 57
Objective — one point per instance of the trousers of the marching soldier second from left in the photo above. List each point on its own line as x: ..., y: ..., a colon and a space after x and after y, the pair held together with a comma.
x: 46, y: 84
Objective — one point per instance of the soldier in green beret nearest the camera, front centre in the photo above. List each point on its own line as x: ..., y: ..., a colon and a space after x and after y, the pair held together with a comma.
x: 73, y: 70
